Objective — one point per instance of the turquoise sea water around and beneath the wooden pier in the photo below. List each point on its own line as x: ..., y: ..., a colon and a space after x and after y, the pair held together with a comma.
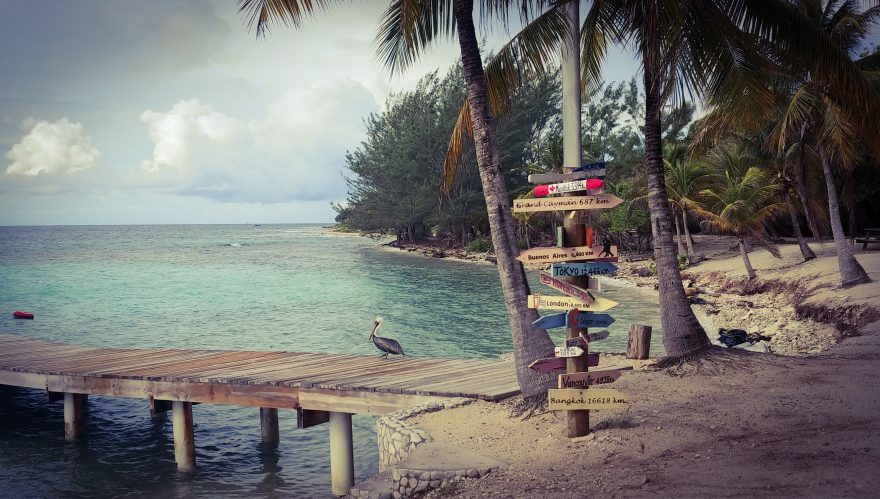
x: 235, y: 287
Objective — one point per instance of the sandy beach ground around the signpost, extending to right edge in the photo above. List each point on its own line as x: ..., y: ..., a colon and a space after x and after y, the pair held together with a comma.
x: 799, y: 422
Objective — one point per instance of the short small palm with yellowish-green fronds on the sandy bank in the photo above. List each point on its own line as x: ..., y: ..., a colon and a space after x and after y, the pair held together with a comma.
x: 741, y: 204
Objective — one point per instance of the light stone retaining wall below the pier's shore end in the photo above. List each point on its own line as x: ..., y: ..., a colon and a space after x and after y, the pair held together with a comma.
x: 396, y: 439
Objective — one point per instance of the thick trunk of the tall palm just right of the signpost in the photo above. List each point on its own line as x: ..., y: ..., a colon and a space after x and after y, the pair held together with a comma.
x: 682, y: 333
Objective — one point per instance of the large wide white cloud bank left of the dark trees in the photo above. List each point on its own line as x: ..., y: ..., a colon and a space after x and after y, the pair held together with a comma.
x: 294, y: 152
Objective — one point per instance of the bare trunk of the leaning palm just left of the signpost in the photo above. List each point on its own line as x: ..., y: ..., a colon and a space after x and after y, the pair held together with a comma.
x: 529, y: 342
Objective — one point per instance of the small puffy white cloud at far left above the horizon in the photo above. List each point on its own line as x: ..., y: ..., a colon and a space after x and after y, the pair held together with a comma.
x: 52, y: 147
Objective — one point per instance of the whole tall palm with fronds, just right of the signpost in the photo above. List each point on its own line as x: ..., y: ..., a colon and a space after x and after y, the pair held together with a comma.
x: 716, y: 48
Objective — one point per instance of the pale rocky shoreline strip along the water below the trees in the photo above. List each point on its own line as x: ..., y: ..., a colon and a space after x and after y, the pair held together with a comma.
x: 776, y: 305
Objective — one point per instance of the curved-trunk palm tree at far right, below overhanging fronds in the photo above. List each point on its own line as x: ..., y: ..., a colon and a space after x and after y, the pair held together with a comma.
x: 835, y: 127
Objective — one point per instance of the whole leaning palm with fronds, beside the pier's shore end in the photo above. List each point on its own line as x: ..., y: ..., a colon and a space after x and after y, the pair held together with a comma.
x: 403, y: 32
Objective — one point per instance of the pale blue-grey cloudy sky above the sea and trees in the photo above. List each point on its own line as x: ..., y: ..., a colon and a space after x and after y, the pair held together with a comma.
x: 161, y: 112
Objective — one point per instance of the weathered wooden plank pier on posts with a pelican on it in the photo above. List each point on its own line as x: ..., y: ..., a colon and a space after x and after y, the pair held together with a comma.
x: 320, y: 387
